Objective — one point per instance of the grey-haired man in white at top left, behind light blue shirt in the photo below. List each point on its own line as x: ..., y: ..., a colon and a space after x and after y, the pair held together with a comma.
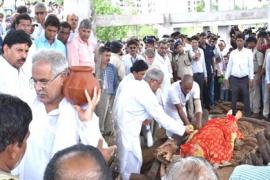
x: 40, y: 16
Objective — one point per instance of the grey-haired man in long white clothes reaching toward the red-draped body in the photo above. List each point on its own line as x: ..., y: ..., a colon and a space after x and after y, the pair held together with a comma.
x: 142, y: 105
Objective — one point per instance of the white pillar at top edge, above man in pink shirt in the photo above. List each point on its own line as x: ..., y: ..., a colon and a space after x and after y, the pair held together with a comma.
x: 82, y: 8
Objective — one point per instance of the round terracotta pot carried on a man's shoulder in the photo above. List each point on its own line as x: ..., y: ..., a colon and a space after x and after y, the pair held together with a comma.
x: 78, y: 79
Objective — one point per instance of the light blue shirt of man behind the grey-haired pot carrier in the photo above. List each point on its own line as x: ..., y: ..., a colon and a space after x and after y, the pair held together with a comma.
x: 42, y: 43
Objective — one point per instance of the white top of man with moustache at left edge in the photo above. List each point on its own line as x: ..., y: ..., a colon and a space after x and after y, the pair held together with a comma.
x: 14, y: 82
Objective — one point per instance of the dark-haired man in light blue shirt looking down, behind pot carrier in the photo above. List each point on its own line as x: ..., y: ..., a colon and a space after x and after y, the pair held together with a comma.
x: 48, y: 40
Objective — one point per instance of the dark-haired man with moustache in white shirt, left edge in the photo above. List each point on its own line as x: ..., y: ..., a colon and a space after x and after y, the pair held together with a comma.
x: 13, y: 79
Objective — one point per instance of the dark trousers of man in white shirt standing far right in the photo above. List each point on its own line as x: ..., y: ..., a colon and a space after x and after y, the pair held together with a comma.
x: 240, y: 85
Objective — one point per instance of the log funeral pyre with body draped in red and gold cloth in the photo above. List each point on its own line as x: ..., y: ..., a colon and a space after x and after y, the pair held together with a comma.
x: 225, y: 141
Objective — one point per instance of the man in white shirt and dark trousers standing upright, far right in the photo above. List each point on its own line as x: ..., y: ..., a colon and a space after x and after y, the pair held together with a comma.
x: 240, y: 71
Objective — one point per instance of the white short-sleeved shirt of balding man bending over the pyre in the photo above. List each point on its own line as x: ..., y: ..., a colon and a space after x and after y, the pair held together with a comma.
x: 176, y: 96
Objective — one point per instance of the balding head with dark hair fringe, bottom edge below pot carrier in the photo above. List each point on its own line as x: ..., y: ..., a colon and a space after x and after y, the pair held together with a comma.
x: 64, y: 164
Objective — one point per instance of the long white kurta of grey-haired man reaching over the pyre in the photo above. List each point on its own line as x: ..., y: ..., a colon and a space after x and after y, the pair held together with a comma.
x: 135, y: 103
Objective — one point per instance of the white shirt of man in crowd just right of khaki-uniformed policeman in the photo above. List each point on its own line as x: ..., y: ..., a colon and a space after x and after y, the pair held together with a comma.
x: 198, y: 66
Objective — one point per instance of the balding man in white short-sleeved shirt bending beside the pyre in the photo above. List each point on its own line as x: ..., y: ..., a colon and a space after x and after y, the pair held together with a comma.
x: 179, y: 94
